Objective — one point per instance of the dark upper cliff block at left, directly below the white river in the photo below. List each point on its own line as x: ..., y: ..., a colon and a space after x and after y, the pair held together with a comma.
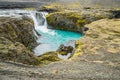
x: 18, y: 30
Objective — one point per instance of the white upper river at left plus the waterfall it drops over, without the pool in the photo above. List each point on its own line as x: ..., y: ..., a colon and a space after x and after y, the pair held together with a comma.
x: 39, y: 18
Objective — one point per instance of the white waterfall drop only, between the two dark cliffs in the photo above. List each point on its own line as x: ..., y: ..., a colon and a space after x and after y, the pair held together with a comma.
x: 41, y: 23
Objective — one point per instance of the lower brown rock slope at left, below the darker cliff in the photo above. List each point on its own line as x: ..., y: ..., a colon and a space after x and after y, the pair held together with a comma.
x: 16, y: 51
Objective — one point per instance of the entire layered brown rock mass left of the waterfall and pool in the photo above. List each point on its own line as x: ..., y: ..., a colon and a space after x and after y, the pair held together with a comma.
x: 17, y: 39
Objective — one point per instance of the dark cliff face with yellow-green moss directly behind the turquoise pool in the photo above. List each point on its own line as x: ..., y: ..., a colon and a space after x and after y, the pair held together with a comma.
x: 71, y: 21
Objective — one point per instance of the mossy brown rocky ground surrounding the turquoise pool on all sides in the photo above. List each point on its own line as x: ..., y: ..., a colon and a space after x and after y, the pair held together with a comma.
x: 96, y: 54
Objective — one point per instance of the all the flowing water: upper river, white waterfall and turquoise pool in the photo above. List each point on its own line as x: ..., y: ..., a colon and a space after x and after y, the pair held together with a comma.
x: 49, y: 39
